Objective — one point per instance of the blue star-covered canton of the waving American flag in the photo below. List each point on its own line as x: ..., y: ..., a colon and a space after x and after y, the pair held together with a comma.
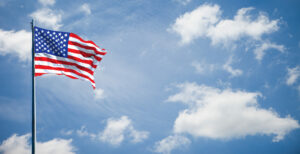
x: 51, y: 42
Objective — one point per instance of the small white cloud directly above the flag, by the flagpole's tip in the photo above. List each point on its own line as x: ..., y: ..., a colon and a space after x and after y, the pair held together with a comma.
x: 48, y: 18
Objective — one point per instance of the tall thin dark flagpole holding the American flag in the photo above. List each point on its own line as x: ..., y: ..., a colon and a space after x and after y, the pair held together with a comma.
x: 33, y: 127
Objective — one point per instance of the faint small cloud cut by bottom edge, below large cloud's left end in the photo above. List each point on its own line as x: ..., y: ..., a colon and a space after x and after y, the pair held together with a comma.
x: 170, y: 143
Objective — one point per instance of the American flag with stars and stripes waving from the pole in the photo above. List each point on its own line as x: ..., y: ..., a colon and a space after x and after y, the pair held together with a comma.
x: 64, y: 53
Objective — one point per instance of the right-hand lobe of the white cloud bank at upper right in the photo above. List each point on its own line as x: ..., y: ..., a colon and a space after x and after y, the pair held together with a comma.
x: 242, y: 25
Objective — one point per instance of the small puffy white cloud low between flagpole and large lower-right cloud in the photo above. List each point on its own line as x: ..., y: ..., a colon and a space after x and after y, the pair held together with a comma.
x: 117, y: 129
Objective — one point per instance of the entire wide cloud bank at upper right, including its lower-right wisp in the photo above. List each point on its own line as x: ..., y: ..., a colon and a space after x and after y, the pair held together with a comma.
x: 206, y: 22
